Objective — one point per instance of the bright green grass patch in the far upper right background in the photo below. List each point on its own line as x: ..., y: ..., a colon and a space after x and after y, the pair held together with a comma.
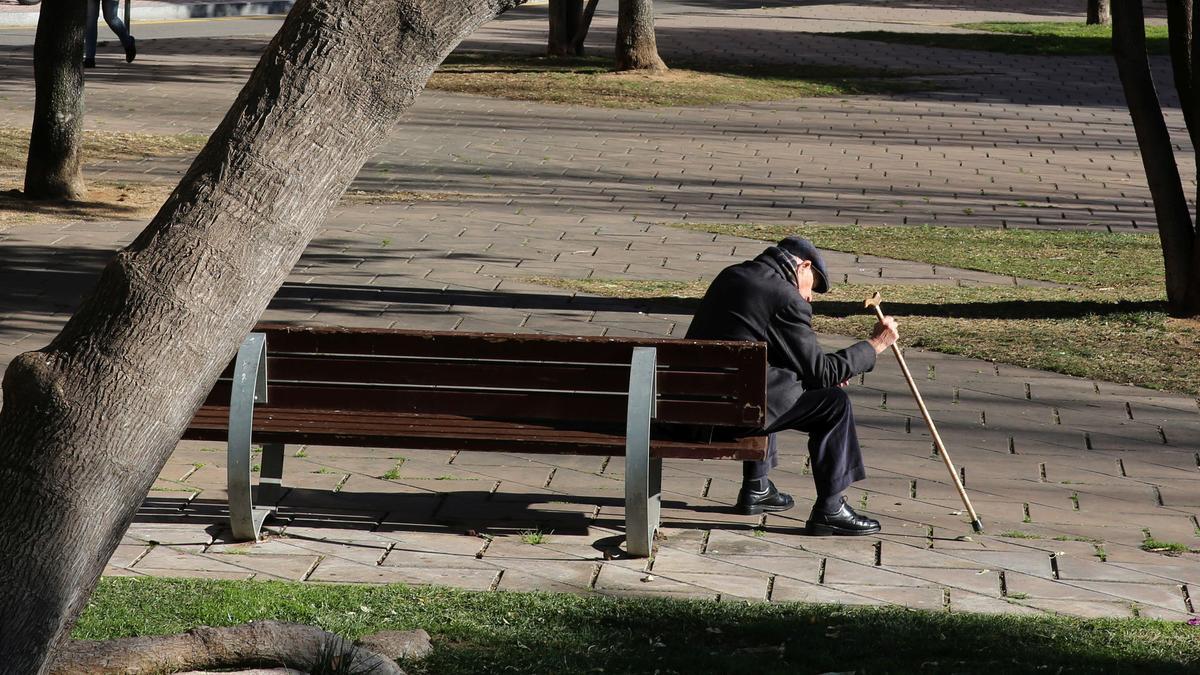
x: 1037, y: 39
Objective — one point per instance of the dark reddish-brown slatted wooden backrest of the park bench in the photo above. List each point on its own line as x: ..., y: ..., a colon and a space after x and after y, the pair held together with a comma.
x: 506, y: 377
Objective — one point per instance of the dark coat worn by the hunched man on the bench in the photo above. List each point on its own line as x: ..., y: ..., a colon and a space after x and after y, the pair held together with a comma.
x: 758, y: 301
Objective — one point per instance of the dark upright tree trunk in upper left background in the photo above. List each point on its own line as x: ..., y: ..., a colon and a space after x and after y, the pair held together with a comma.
x: 55, y: 170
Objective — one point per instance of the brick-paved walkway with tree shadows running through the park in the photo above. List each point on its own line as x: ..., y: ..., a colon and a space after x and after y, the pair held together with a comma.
x: 1084, y: 470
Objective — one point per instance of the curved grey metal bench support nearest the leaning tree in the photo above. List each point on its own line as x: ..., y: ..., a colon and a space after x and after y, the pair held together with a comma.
x: 249, y: 386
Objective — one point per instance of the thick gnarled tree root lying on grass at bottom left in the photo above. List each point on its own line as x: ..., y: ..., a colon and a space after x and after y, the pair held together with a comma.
x: 262, y: 644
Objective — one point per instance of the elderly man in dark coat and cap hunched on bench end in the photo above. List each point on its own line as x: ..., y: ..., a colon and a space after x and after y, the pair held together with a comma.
x: 769, y: 301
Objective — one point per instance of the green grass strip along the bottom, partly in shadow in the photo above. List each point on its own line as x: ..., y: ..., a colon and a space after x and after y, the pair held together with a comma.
x: 509, y: 632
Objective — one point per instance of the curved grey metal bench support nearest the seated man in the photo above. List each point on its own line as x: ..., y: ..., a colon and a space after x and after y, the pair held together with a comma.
x: 644, y: 476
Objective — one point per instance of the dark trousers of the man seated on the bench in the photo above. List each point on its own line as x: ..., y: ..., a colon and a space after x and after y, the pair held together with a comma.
x: 827, y: 417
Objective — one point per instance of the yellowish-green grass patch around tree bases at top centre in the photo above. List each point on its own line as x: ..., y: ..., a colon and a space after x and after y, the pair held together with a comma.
x: 590, y: 81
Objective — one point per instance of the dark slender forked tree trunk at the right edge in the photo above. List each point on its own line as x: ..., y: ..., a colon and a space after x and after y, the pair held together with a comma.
x: 1181, y: 247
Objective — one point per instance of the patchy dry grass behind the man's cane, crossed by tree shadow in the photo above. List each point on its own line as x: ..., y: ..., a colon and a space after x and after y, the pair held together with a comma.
x: 1112, y: 326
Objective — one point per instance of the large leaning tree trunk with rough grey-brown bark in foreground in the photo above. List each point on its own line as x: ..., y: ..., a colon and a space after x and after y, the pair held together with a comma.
x: 89, y: 421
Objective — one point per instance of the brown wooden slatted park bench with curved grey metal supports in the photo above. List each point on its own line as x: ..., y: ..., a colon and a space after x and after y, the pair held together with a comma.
x: 483, y: 392
